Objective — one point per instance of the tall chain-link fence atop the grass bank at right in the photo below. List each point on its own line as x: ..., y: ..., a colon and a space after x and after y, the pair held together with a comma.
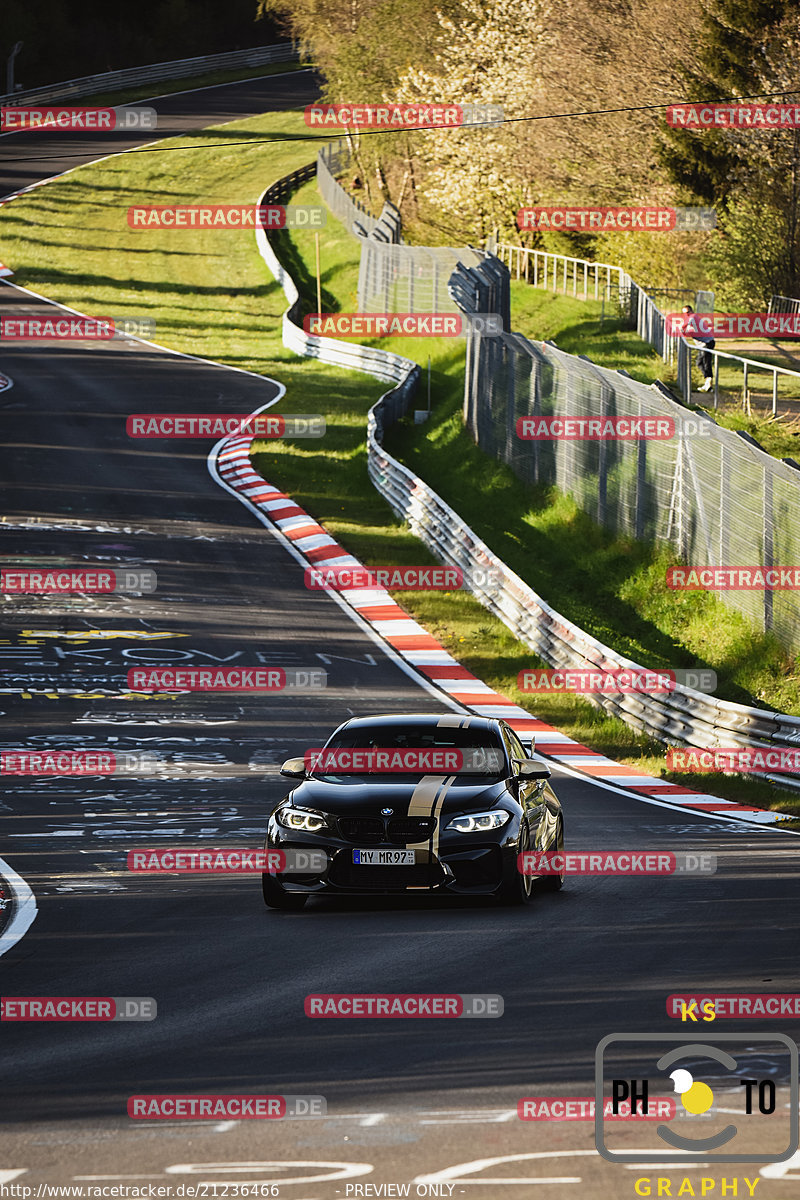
x: 709, y: 493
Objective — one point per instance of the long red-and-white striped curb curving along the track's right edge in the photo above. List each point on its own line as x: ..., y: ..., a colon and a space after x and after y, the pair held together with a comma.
x: 430, y: 659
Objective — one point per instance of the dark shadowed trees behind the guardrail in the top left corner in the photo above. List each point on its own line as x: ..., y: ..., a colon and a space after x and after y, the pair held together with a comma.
x: 70, y: 39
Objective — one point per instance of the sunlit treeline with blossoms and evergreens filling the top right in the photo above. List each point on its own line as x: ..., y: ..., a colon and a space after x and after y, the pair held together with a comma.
x: 549, y: 62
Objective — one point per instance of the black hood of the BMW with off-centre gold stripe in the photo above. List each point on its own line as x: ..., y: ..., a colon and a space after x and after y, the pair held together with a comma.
x: 369, y: 797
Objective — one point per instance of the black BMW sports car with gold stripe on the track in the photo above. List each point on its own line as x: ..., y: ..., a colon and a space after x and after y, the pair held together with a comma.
x: 416, y: 805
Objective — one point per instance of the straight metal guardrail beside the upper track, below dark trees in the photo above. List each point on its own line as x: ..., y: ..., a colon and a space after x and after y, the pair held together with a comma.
x: 131, y: 77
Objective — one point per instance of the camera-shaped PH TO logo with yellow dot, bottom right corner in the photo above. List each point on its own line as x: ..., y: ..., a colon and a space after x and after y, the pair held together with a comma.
x: 745, y: 1071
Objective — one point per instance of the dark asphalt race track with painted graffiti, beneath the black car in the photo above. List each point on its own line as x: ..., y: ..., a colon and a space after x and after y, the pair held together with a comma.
x: 417, y: 1102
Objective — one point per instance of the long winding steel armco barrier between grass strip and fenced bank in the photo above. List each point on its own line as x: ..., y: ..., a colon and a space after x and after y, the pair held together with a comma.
x: 683, y: 717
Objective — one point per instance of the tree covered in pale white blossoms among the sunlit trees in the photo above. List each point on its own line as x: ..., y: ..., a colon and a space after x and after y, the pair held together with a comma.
x: 491, y: 56
